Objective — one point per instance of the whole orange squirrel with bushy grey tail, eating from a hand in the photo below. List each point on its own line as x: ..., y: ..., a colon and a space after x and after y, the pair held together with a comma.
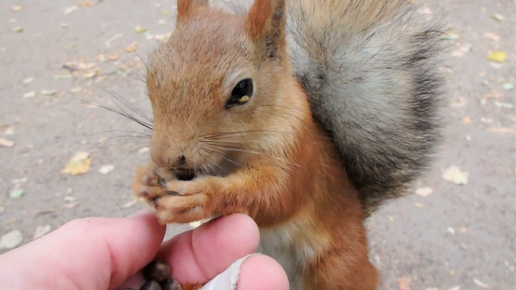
x: 305, y: 115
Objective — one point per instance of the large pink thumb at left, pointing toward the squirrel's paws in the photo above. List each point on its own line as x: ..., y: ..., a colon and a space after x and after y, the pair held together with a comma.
x: 87, y: 254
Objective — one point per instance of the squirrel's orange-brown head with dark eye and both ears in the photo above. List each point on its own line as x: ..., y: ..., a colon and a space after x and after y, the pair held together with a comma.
x: 214, y: 86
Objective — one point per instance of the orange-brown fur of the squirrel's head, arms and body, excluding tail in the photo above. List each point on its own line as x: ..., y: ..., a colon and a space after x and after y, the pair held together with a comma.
x: 285, y: 174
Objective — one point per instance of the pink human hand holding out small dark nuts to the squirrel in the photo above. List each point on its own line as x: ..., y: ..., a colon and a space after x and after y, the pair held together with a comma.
x: 101, y: 253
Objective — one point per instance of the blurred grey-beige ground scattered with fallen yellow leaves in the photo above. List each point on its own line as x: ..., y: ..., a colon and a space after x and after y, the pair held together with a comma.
x: 63, y: 157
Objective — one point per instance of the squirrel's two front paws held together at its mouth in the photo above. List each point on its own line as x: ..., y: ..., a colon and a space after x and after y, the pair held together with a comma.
x: 175, y: 201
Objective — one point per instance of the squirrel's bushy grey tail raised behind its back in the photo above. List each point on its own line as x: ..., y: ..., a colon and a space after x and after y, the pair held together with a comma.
x: 369, y: 68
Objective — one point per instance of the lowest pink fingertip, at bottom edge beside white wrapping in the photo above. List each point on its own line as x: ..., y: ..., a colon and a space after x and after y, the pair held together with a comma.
x: 262, y: 273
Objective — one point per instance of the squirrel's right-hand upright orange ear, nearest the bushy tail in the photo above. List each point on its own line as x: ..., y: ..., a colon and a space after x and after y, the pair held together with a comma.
x: 265, y: 24
